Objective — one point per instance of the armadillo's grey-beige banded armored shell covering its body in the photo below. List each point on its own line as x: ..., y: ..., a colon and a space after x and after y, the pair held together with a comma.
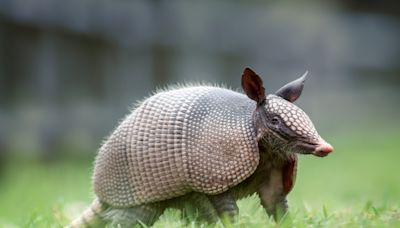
x: 192, y: 139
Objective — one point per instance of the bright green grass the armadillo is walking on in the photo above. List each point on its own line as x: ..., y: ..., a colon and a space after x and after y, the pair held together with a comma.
x: 357, y: 186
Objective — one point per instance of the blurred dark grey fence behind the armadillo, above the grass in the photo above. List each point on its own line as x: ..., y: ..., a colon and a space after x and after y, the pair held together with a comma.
x: 69, y: 70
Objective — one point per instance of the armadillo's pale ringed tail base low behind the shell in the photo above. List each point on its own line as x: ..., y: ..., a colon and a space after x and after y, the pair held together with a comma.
x: 91, y: 217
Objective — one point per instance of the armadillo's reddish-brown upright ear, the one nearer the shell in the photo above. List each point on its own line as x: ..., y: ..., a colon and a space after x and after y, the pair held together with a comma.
x: 253, y: 86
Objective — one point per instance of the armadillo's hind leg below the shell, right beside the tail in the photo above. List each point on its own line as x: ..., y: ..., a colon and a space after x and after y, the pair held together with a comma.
x: 145, y: 214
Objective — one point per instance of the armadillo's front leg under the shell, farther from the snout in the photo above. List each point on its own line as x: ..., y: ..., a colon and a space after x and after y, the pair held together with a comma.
x: 225, y: 205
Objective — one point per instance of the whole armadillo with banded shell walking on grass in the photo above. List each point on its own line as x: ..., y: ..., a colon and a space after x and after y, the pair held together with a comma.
x: 203, y: 148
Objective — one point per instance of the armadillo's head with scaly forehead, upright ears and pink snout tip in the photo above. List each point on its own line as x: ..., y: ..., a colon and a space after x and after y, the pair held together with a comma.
x: 281, y: 123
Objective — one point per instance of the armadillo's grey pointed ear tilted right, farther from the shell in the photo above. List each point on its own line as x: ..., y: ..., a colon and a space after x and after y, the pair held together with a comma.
x: 292, y: 91
